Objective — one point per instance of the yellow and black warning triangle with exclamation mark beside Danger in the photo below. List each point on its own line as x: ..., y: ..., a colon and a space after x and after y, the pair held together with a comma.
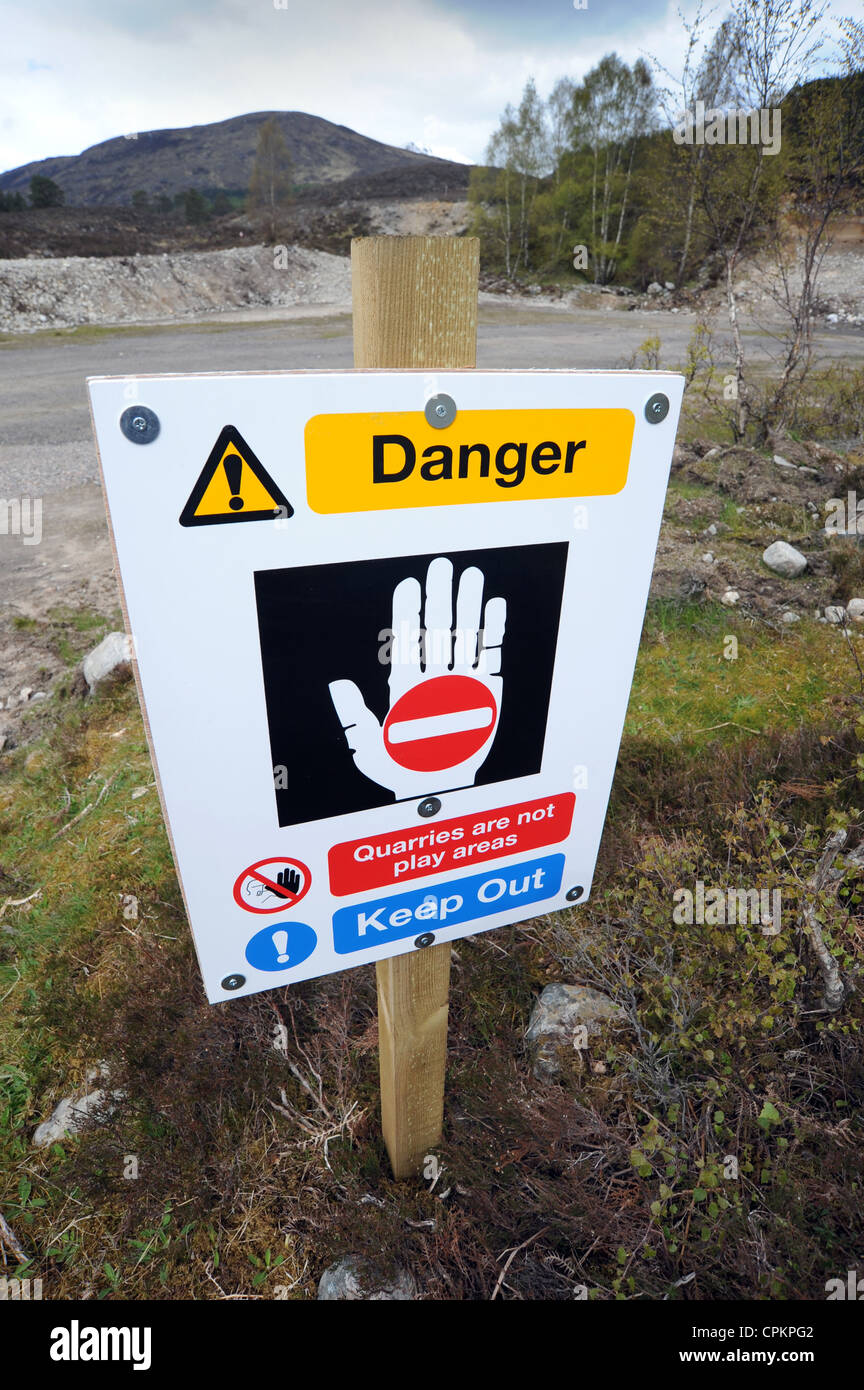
x: 234, y: 487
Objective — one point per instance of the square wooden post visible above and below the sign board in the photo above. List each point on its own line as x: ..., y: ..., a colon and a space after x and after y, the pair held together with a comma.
x: 415, y: 306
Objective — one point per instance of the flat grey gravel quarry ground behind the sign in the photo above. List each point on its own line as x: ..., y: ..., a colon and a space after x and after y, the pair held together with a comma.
x: 47, y: 444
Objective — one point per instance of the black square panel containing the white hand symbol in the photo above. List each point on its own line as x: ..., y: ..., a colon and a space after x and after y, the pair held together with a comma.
x: 440, y: 676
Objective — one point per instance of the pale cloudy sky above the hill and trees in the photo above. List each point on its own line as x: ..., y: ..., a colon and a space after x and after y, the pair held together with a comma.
x: 435, y: 73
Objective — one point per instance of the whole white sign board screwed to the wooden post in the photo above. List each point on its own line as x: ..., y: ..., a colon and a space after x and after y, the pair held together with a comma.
x: 385, y: 650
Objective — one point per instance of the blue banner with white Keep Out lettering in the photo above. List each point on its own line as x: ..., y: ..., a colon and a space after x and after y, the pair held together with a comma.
x: 431, y: 910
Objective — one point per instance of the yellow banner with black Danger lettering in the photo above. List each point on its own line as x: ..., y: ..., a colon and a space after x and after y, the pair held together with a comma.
x: 377, y: 462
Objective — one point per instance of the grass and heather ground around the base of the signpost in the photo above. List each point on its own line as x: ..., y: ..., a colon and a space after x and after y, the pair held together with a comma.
x: 259, y: 1167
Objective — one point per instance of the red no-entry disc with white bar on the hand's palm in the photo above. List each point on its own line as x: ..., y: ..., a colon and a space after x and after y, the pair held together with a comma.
x: 440, y: 723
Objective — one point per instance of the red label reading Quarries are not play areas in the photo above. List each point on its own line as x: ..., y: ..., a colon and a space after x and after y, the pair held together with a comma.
x: 380, y: 861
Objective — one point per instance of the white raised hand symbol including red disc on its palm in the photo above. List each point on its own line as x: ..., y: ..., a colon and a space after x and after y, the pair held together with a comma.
x: 445, y: 689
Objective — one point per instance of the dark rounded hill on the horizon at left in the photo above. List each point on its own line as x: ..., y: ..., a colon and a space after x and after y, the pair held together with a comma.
x: 220, y: 156
